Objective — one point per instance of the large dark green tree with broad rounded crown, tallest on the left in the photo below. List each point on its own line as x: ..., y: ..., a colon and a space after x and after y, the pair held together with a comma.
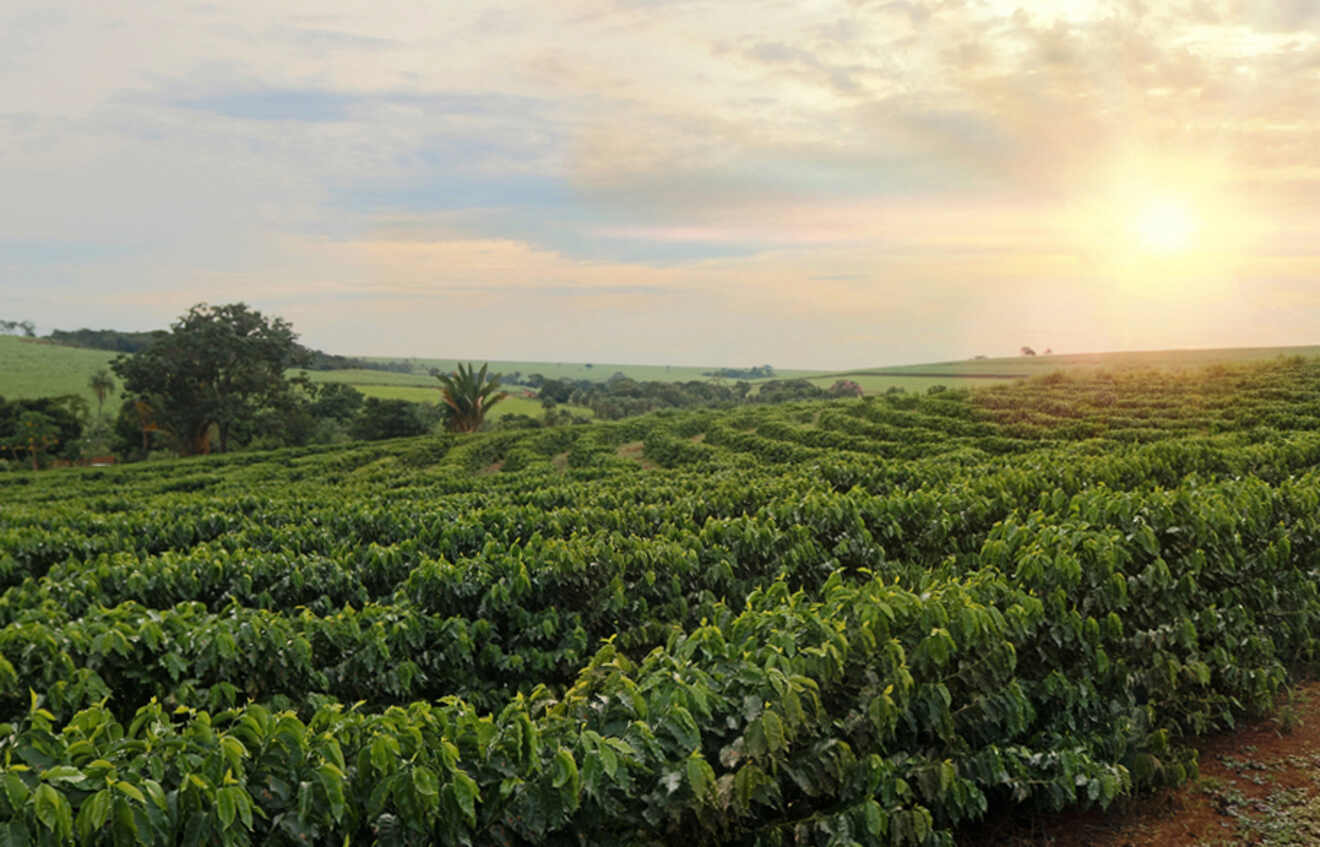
x: 216, y: 367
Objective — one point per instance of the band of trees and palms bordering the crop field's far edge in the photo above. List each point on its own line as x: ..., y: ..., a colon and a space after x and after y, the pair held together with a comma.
x: 220, y: 379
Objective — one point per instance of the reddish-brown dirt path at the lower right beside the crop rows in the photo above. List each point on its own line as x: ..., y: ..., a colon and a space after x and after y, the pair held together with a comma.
x: 1260, y: 786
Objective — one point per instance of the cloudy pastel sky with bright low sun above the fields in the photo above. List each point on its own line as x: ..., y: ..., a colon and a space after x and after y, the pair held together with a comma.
x: 807, y: 184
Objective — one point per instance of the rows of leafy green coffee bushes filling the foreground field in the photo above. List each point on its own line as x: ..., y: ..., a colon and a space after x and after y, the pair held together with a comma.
x: 822, y: 623
